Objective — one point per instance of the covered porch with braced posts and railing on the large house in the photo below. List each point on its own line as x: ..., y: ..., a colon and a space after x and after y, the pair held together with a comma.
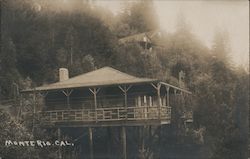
x: 108, y: 105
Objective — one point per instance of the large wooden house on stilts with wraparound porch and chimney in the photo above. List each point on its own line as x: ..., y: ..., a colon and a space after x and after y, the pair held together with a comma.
x: 105, y: 97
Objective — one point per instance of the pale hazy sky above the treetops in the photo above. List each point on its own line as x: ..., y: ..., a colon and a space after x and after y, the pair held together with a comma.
x: 205, y: 17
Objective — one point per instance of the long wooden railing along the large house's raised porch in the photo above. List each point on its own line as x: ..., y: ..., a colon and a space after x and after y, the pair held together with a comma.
x: 107, y: 114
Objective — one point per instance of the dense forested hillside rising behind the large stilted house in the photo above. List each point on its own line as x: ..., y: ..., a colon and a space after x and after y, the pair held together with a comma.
x: 38, y: 37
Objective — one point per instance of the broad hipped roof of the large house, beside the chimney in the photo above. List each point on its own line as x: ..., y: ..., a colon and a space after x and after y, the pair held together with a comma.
x: 101, y: 77
